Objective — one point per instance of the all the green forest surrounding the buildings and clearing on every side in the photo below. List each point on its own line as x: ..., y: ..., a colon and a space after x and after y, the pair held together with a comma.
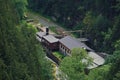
x: 22, y: 58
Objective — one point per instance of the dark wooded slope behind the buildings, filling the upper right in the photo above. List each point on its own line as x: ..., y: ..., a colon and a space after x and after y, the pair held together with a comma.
x: 99, y: 19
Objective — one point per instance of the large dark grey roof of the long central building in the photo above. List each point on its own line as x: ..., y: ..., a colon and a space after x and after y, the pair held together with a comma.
x: 71, y: 43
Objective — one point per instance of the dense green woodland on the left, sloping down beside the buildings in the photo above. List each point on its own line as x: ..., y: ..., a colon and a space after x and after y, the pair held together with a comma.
x: 21, y: 57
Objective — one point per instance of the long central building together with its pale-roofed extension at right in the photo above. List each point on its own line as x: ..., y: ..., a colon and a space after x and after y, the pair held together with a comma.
x: 68, y: 43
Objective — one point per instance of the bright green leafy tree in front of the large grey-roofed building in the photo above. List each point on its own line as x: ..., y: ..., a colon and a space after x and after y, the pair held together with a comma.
x: 73, y: 66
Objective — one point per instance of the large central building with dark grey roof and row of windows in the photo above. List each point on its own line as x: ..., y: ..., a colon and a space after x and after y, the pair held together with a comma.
x: 68, y: 43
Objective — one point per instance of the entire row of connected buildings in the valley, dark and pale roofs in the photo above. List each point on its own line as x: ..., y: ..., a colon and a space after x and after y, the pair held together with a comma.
x: 66, y: 44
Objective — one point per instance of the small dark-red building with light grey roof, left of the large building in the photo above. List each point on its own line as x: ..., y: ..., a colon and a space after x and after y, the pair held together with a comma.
x: 50, y: 42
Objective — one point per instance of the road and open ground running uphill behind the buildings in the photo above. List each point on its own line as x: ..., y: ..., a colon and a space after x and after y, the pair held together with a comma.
x: 42, y: 21
